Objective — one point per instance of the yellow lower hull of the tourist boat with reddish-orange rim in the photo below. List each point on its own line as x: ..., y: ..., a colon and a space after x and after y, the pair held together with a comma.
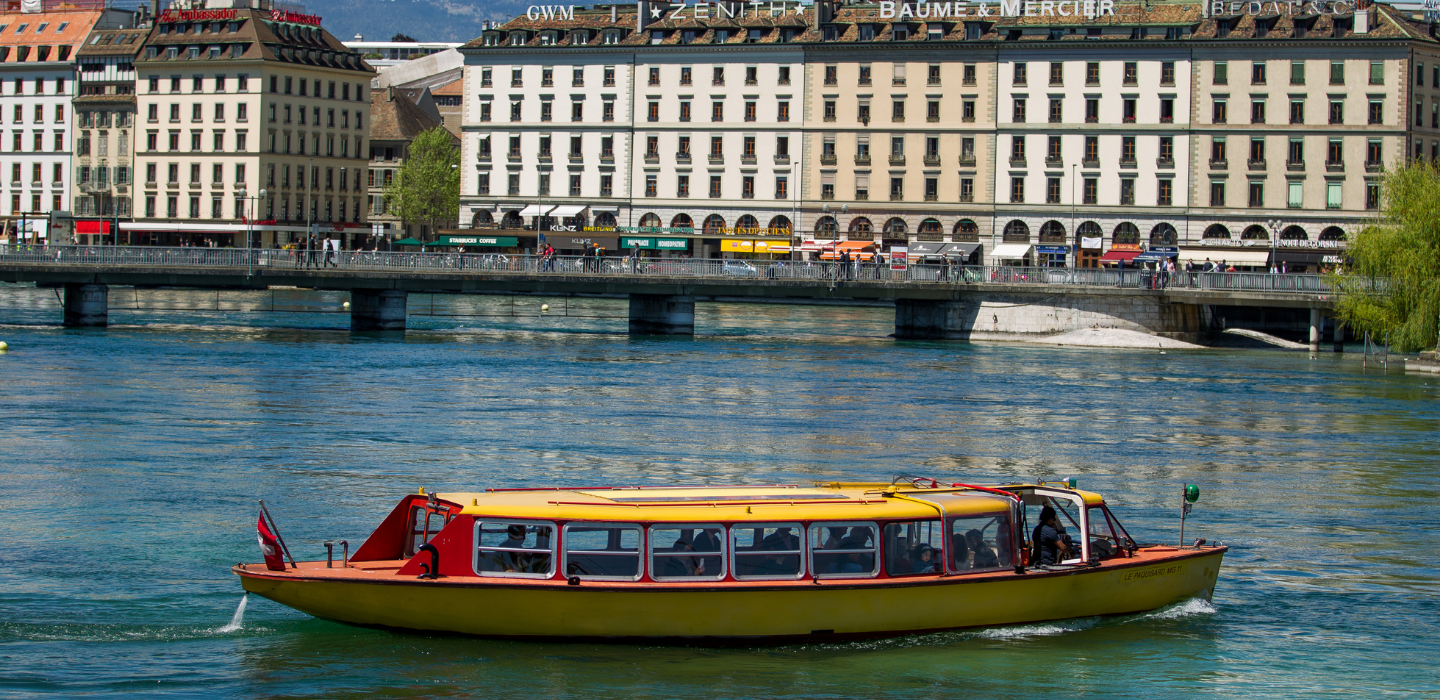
x: 793, y: 611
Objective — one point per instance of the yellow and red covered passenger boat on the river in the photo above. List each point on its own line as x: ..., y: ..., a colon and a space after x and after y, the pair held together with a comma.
x: 744, y: 564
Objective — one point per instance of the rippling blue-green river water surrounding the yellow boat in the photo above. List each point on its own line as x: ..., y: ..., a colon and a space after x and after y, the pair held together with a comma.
x: 133, y: 456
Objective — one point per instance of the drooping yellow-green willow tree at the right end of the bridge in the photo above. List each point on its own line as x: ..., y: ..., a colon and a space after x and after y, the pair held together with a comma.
x: 1392, y: 280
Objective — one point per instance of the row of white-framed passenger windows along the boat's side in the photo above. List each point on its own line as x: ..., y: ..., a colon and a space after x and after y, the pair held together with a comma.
x: 745, y: 552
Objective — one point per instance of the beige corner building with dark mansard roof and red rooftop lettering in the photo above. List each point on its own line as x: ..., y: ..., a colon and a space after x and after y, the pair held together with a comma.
x: 237, y: 103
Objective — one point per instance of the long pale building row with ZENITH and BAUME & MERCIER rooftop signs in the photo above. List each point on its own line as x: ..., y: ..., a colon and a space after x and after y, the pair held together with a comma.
x: 1033, y: 133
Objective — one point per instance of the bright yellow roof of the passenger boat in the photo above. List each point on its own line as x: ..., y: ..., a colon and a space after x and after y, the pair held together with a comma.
x: 834, y: 502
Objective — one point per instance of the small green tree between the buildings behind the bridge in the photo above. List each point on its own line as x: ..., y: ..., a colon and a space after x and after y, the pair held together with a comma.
x: 427, y: 188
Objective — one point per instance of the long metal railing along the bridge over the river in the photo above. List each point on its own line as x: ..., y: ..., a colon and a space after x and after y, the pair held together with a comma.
x: 231, y: 260
